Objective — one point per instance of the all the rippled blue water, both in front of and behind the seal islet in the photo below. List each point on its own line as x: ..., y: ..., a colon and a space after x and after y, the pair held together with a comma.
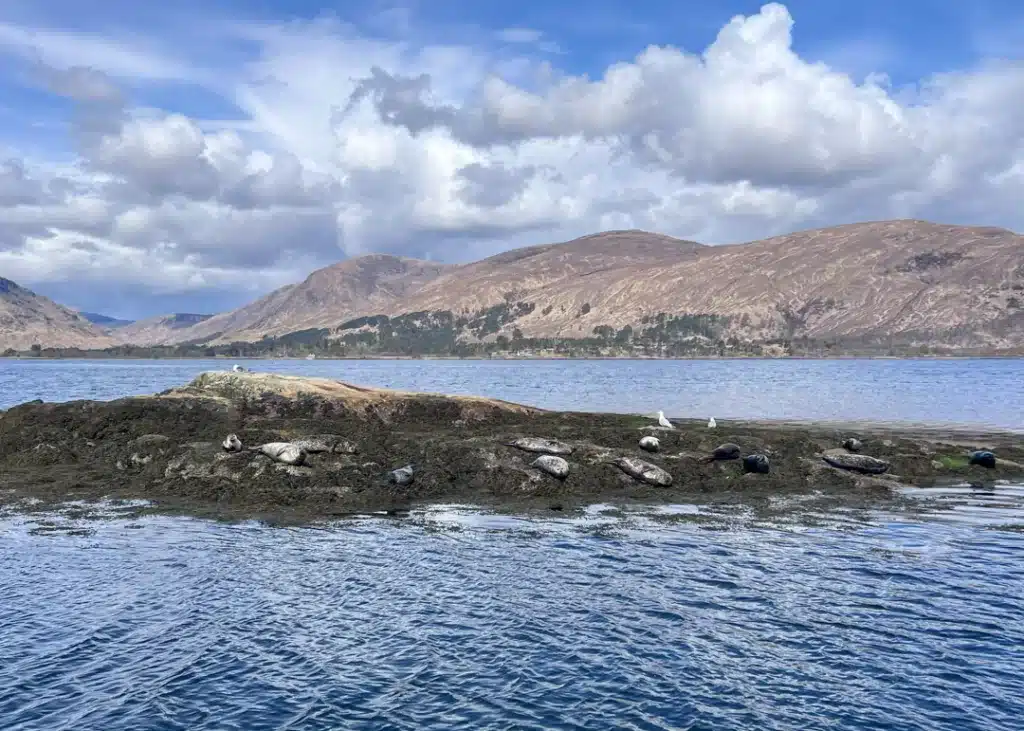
x: 453, y: 620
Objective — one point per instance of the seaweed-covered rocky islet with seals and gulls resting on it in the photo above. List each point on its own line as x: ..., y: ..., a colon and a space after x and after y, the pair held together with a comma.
x: 273, y: 447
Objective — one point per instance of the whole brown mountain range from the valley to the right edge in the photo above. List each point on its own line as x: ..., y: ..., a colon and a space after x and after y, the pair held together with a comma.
x: 908, y: 283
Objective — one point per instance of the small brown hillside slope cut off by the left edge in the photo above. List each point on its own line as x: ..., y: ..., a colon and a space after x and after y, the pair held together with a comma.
x: 28, y: 319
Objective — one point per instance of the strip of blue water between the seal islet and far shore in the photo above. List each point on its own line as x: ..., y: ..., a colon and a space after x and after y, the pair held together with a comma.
x: 984, y: 393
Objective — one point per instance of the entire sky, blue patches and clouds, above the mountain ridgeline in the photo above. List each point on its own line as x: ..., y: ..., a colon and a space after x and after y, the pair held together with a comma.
x: 190, y: 157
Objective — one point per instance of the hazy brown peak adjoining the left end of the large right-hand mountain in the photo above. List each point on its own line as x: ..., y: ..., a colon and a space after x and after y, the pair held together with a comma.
x: 366, y: 285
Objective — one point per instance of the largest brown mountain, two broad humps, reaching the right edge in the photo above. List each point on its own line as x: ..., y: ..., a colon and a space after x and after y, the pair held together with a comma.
x: 915, y: 282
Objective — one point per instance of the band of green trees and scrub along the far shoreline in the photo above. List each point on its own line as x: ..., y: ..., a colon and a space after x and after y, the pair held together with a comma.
x: 495, y: 333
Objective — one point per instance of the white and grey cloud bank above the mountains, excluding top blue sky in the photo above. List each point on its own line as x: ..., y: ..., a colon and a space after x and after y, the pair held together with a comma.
x: 346, y: 144
